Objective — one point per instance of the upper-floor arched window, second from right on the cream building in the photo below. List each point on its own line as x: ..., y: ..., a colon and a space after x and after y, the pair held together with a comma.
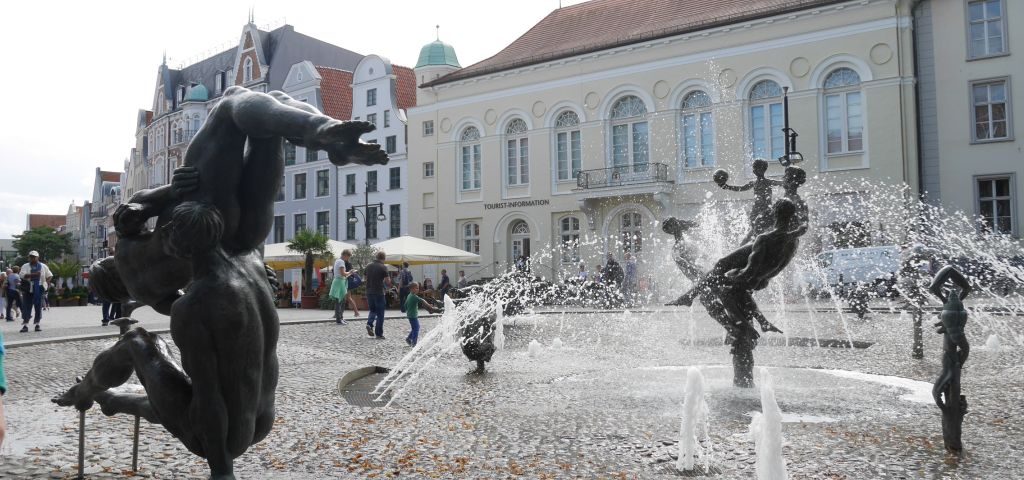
x: 767, y: 141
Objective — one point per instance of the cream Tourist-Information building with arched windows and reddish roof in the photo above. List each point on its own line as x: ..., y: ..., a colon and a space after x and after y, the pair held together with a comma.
x: 611, y: 115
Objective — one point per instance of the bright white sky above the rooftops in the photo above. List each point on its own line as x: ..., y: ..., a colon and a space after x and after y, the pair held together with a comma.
x: 75, y: 74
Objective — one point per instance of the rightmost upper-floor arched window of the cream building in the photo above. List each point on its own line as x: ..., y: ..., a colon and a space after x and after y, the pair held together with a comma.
x: 844, y: 113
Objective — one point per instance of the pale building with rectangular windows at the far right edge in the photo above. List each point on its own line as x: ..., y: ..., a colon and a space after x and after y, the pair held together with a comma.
x: 970, y: 74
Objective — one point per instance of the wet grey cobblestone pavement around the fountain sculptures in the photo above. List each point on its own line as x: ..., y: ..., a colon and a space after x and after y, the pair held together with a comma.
x: 605, y: 406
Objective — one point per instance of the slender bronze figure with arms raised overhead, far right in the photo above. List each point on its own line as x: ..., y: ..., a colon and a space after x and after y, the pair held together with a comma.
x: 955, y: 353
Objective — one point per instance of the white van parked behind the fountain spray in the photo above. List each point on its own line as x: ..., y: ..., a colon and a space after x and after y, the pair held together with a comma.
x: 871, y: 266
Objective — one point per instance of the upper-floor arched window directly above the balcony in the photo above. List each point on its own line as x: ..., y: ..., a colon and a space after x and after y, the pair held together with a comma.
x: 629, y: 136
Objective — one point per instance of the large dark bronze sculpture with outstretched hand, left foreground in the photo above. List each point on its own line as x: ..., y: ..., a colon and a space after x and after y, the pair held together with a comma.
x: 211, y: 223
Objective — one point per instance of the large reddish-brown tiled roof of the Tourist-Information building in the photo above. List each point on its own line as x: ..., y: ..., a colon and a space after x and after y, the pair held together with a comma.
x: 600, y: 25
